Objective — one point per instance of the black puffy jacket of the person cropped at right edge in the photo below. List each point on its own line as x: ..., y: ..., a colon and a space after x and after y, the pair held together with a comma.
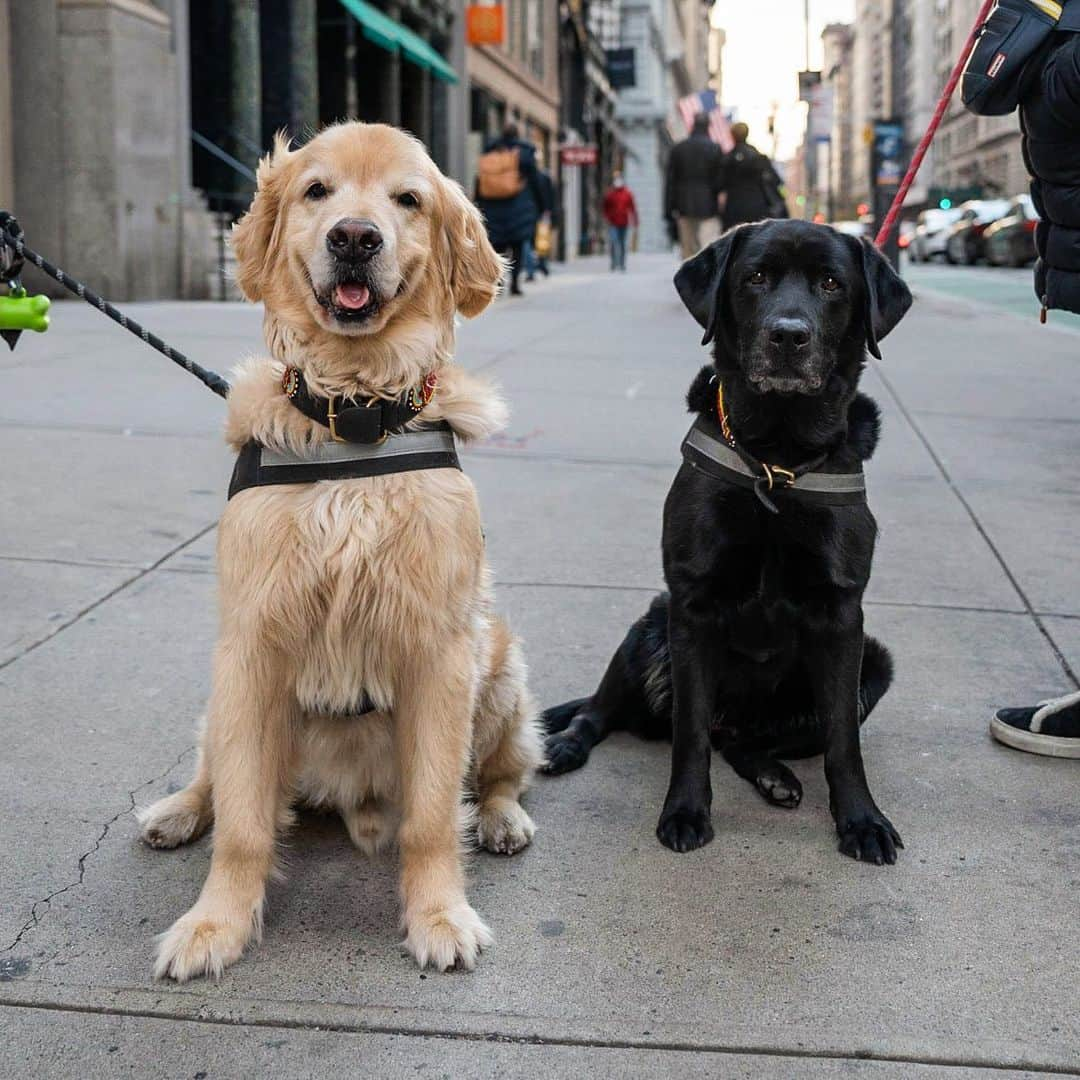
x: 1050, y: 119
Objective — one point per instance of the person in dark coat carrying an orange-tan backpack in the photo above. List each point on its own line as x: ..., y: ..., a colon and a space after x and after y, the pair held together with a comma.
x: 510, y: 196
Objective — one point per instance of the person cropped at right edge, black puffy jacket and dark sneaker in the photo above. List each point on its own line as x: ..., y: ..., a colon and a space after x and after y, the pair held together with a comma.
x: 1050, y: 120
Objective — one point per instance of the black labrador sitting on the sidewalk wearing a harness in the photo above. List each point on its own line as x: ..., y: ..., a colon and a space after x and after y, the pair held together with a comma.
x: 759, y: 647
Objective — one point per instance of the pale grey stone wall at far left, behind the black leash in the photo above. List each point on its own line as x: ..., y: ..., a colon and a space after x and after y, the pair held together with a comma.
x: 94, y: 141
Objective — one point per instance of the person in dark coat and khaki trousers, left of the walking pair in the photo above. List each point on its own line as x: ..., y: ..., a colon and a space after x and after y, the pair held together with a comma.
x: 693, y: 184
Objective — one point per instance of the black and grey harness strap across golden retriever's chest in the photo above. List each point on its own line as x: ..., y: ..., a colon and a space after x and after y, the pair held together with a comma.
x: 431, y: 448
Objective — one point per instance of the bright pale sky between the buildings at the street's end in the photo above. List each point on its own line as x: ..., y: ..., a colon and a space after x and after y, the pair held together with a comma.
x: 766, y: 47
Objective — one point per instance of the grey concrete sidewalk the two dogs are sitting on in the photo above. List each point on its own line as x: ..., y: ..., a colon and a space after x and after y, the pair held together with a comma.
x: 766, y: 954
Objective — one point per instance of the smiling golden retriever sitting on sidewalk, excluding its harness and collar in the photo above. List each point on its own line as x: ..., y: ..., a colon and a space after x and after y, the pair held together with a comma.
x: 340, y: 589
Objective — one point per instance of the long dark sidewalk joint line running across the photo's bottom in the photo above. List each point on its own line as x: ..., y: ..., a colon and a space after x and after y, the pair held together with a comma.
x: 725, y: 1050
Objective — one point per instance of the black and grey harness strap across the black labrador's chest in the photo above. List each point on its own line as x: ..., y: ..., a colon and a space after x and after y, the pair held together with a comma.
x: 711, y: 450
